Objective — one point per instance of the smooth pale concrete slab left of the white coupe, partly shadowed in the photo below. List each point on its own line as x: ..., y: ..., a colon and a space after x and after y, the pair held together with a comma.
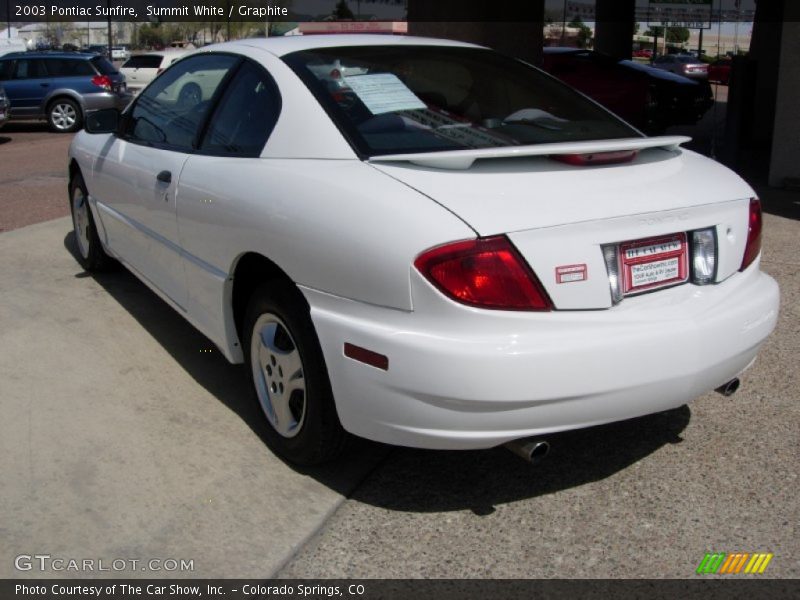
x: 125, y: 435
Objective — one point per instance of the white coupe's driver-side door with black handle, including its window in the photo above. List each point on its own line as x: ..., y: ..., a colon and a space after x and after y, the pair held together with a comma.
x: 136, y: 173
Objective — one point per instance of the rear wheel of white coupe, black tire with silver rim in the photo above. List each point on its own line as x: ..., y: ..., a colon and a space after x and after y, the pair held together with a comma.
x: 311, y: 432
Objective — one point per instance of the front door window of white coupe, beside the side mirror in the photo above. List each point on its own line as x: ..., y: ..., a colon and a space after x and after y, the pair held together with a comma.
x: 171, y: 111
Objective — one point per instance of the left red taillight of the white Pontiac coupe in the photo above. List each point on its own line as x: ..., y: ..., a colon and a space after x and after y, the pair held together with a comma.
x: 486, y: 273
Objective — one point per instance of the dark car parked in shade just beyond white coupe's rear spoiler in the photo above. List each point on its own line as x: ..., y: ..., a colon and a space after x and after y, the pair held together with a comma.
x: 651, y: 99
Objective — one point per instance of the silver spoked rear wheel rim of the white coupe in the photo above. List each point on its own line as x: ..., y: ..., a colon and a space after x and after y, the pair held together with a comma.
x: 278, y: 375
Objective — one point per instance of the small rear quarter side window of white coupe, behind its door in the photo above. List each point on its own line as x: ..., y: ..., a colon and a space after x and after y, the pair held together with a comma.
x: 246, y: 115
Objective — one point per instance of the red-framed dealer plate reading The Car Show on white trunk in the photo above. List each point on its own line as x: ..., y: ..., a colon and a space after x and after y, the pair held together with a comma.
x: 654, y: 262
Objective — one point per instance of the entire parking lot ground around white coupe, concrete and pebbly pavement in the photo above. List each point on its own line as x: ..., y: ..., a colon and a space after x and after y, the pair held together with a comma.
x: 126, y: 435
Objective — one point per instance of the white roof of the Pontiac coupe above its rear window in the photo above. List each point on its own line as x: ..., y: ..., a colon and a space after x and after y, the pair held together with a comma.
x: 281, y: 46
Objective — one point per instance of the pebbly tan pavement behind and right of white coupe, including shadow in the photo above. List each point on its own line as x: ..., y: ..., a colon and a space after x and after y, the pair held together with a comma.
x: 645, y: 498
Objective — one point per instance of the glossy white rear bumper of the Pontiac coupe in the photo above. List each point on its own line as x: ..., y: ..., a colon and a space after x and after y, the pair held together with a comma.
x: 463, y: 378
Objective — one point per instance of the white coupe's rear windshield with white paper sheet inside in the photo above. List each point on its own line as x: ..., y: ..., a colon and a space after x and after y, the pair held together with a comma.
x: 401, y: 99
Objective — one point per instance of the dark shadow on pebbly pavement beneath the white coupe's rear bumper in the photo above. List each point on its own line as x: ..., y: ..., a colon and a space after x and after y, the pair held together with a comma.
x: 437, y: 481
